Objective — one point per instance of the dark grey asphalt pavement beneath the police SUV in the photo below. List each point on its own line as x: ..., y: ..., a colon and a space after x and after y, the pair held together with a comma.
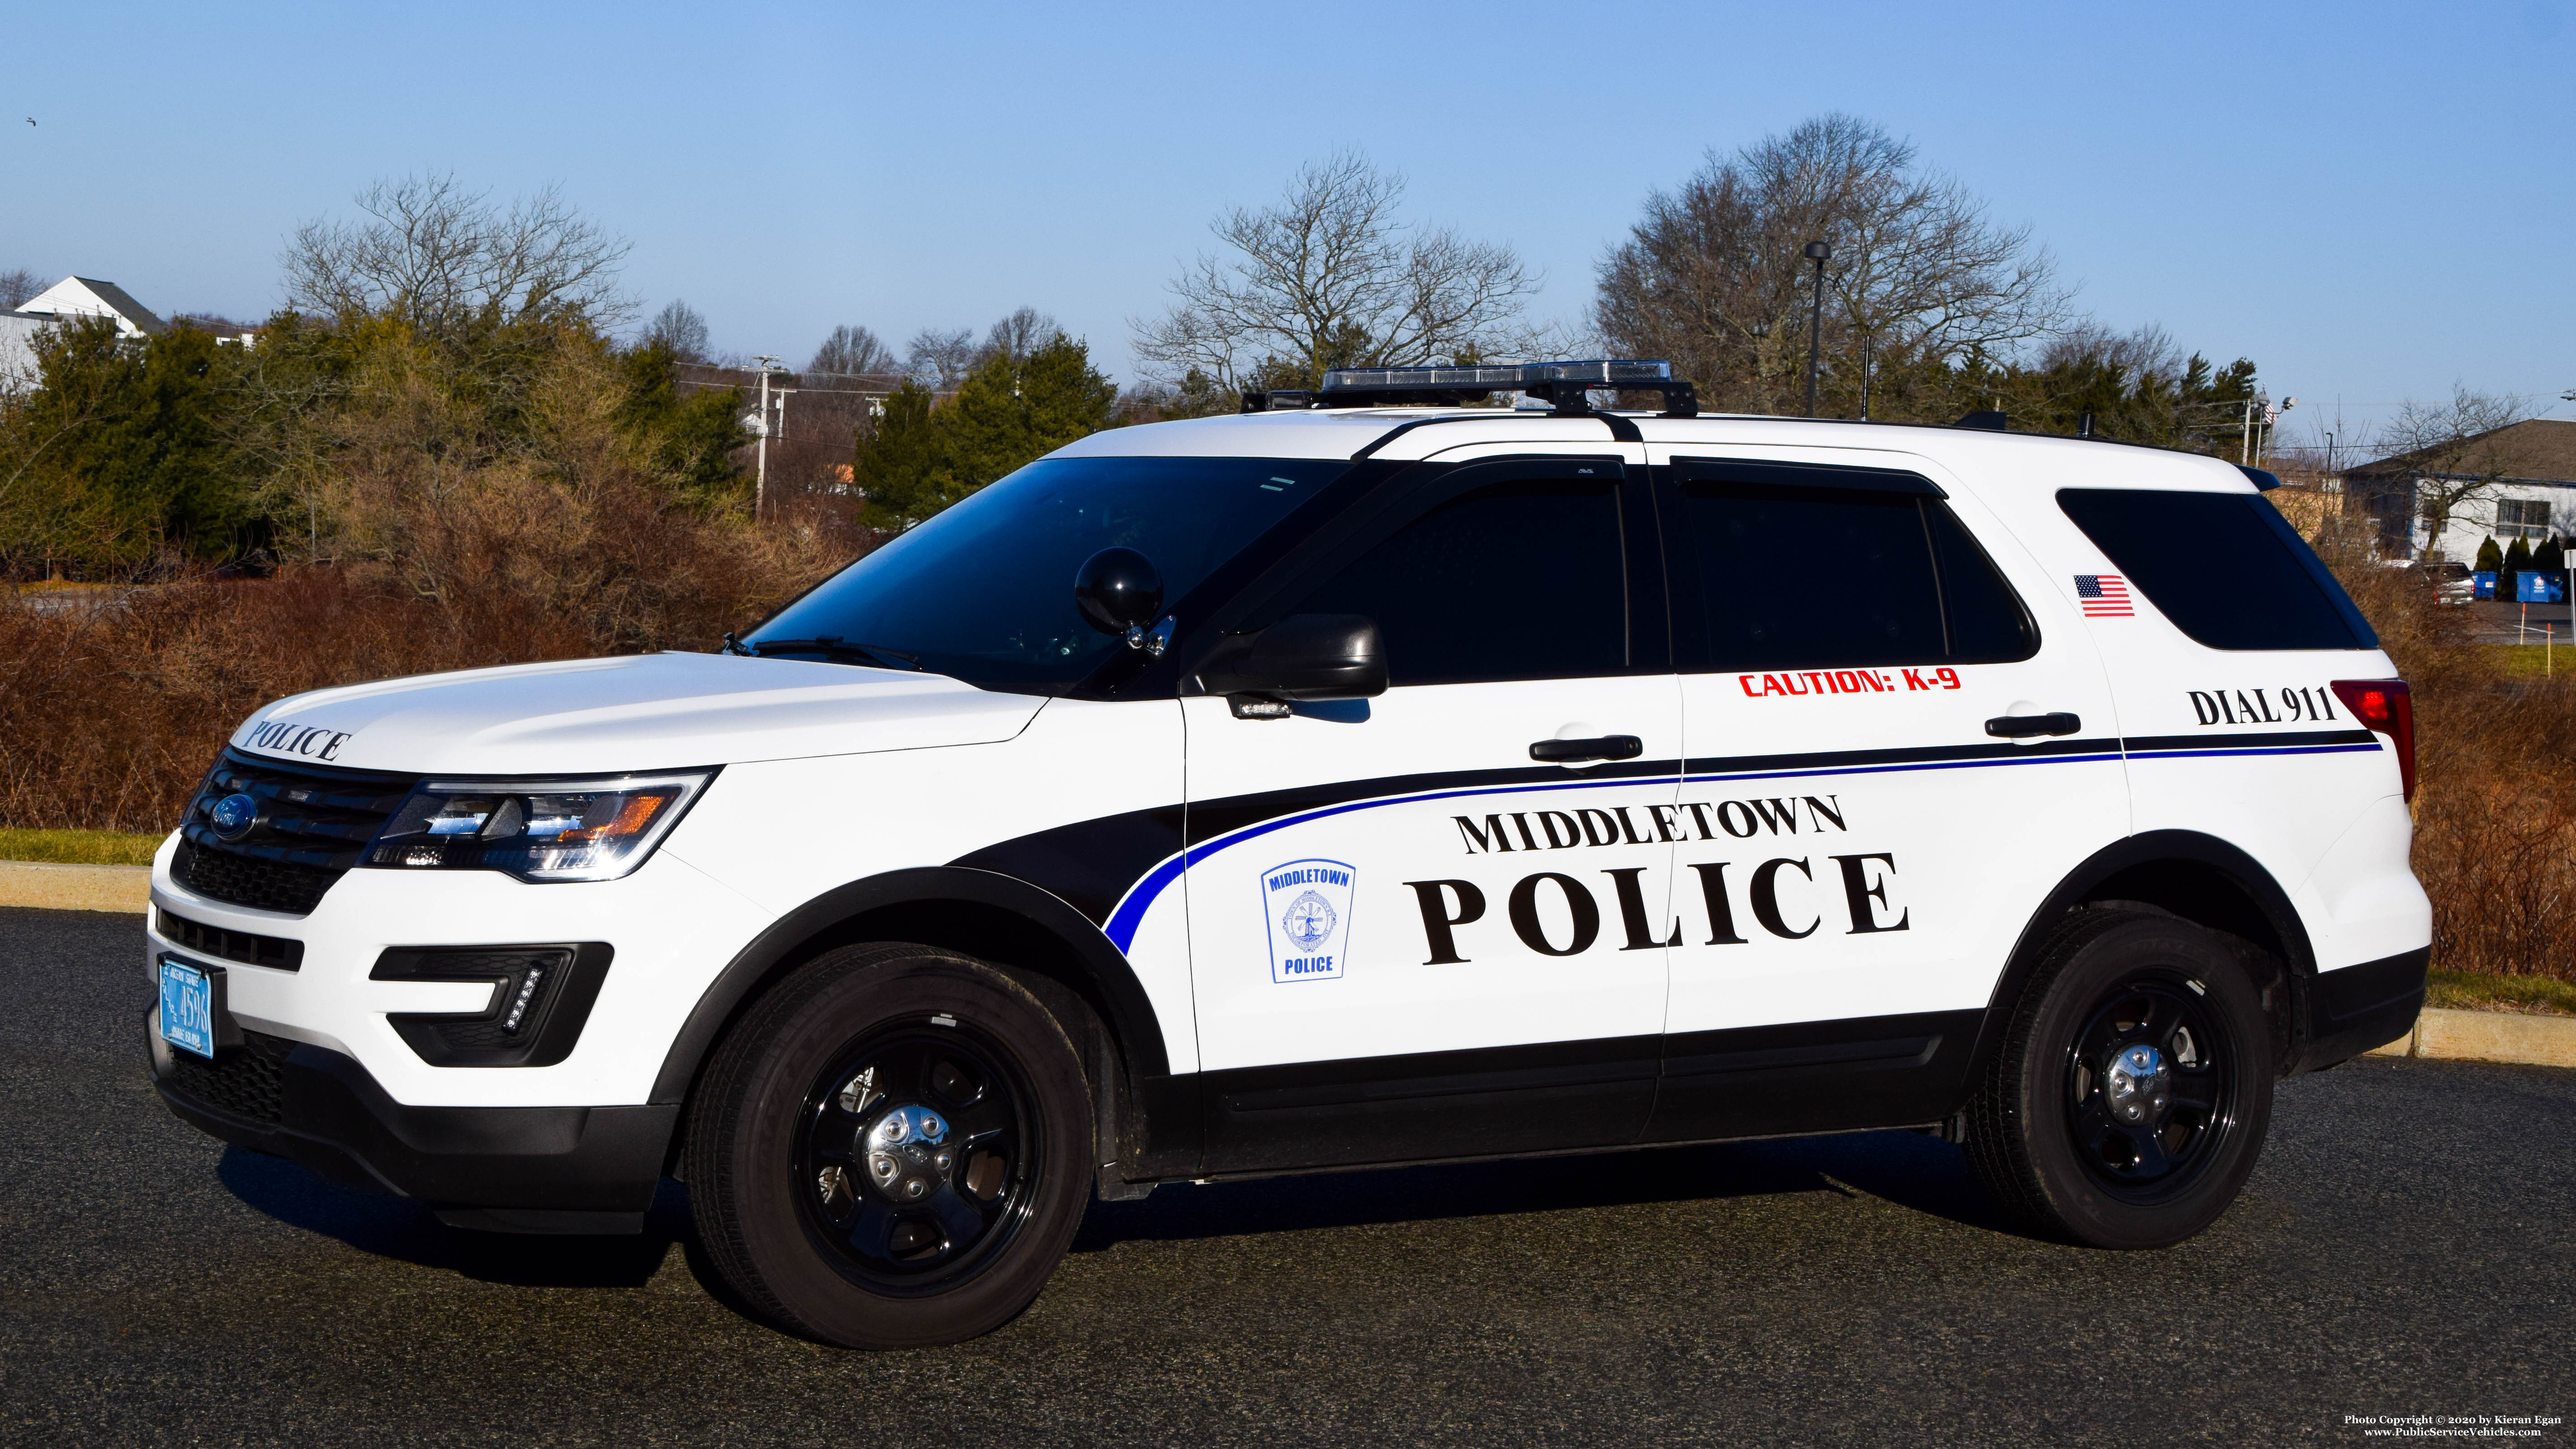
x: 2405, y: 1249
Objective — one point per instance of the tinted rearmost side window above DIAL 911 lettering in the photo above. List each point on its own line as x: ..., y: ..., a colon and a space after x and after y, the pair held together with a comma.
x: 2227, y: 569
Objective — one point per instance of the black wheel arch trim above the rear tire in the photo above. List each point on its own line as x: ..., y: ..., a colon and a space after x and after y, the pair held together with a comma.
x: 2201, y: 880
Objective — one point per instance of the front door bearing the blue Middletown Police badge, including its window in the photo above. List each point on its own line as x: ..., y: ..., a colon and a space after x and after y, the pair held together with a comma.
x: 1408, y: 935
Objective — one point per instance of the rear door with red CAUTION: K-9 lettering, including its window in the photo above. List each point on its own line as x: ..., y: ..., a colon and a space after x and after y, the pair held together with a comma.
x: 1897, y: 744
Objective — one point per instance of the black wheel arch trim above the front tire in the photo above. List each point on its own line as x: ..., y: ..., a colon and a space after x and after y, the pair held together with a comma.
x: 980, y: 914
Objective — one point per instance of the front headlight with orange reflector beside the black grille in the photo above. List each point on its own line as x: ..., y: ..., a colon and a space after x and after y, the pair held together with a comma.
x: 537, y: 831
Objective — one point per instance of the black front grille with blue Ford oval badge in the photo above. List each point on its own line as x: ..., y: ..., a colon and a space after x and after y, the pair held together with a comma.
x: 313, y: 826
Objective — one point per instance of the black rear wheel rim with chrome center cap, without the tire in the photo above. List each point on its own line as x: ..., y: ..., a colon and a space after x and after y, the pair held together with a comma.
x: 2152, y: 1087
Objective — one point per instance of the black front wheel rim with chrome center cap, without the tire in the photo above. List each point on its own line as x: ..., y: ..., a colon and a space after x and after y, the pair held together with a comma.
x: 916, y: 1159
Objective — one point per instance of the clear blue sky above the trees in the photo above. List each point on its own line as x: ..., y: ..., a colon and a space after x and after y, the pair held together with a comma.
x: 2369, y: 200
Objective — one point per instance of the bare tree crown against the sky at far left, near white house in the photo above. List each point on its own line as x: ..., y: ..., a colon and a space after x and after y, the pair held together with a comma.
x: 442, y: 257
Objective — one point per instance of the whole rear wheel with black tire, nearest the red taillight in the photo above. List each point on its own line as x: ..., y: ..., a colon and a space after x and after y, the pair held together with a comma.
x: 2134, y: 1087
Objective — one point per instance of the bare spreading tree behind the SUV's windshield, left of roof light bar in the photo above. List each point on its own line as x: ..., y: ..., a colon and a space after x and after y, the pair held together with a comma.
x: 1333, y: 277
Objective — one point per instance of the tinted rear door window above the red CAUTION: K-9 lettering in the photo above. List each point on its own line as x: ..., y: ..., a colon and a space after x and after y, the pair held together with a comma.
x: 1835, y: 579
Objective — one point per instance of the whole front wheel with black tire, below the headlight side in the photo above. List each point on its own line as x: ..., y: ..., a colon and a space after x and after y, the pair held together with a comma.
x: 893, y: 1149
